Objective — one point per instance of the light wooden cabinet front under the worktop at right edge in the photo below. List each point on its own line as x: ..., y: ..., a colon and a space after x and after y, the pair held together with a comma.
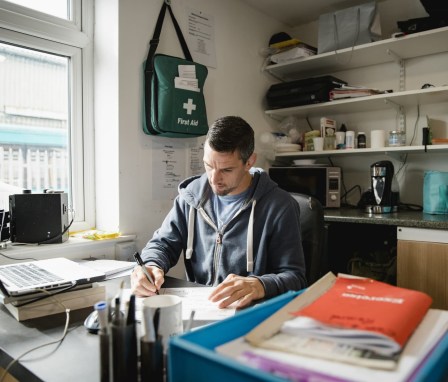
x: 422, y: 262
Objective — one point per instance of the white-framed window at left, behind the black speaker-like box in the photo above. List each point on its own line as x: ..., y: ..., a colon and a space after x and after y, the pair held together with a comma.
x: 46, y: 134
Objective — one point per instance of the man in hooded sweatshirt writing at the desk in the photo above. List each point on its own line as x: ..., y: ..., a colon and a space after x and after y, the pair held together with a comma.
x: 238, y: 231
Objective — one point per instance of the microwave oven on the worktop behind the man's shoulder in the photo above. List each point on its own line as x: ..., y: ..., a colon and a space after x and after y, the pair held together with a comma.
x: 321, y: 182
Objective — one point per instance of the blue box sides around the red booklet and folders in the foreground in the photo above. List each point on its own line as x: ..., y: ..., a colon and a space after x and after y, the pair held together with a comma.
x: 192, y: 357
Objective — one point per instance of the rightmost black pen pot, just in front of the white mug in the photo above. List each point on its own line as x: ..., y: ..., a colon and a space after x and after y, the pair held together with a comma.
x: 151, y: 361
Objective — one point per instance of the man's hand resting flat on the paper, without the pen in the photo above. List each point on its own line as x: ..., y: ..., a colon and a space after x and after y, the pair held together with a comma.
x: 237, y: 288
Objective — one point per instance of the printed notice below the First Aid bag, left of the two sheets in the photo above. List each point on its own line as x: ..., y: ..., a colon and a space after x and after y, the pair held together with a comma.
x: 168, y: 169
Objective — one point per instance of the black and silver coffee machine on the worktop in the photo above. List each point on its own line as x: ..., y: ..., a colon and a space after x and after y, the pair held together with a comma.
x: 385, y: 194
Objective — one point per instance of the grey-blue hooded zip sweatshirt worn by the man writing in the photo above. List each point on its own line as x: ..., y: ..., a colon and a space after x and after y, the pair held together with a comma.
x: 262, y: 240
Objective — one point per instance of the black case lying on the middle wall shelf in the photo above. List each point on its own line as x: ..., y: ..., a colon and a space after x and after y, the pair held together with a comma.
x: 302, y: 92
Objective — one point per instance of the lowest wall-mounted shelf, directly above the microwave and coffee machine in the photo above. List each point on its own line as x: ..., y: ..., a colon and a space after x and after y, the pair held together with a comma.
x: 385, y: 150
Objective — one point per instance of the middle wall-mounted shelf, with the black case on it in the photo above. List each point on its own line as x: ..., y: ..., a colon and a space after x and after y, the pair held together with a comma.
x: 363, y: 104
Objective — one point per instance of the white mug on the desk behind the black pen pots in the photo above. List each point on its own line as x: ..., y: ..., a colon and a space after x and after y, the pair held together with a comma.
x: 170, y: 319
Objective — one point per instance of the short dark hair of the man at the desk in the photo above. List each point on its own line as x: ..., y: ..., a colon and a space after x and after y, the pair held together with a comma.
x: 230, y: 133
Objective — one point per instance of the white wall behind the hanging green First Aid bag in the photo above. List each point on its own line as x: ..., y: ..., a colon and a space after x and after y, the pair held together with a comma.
x: 235, y: 87
